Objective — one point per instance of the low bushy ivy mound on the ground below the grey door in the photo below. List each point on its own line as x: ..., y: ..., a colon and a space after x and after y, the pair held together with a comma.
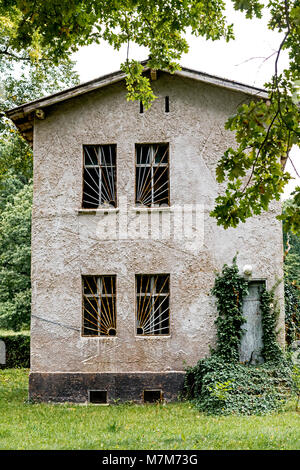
x: 220, y: 387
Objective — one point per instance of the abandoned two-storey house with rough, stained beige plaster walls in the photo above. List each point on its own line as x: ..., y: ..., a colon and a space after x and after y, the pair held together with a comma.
x: 124, y: 252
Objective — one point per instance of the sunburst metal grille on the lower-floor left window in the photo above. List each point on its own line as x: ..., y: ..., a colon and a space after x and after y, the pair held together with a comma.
x: 99, y: 306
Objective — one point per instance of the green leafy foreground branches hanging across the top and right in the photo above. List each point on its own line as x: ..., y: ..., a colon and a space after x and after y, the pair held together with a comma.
x: 265, y: 130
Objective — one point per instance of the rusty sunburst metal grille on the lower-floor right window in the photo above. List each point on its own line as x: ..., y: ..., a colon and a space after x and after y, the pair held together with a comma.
x: 152, y: 304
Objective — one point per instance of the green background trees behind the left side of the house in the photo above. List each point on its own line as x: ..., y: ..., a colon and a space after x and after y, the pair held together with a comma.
x: 22, y: 78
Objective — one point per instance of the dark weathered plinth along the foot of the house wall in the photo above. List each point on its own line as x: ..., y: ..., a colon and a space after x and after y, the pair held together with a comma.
x: 75, y: 387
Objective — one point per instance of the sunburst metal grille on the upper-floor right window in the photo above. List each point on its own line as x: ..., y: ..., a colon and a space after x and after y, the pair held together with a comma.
x: 152, y: 175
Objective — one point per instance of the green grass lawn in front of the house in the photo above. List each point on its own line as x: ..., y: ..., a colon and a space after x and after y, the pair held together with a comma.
x: 170, y: 426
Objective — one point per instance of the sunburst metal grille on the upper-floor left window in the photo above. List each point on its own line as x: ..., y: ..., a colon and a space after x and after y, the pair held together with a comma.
x: 99, y: 176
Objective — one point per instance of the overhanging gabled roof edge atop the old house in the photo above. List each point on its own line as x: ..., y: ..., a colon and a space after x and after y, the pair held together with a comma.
x: 23, y: 115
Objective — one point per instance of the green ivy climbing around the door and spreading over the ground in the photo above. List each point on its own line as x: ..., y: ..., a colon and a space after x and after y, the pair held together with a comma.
x: 220, y: 384
